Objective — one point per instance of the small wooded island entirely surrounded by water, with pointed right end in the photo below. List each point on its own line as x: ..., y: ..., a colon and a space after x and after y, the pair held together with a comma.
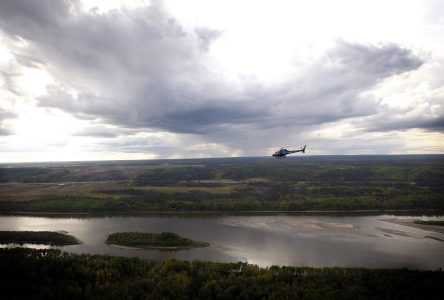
x: 164, y: 240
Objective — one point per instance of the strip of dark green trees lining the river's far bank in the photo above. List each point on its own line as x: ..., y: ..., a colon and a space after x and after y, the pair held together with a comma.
x: 87, y: 204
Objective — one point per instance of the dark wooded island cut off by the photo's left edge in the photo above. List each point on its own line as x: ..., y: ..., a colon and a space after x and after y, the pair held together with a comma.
x: 37, y: 237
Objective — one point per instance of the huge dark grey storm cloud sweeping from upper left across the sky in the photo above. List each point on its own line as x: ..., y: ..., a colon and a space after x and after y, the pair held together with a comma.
x: 141, y: 69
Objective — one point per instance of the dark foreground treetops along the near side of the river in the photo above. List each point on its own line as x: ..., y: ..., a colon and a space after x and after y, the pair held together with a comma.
x: 50, y: 274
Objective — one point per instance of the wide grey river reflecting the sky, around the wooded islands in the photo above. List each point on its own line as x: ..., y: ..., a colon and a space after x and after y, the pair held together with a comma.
x: 297, y: 240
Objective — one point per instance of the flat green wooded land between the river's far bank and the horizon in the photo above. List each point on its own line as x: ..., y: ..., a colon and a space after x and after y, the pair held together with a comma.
x: 299, y: 183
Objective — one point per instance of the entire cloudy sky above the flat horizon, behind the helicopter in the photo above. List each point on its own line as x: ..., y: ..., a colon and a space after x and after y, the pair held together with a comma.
x: 105, y: 80
